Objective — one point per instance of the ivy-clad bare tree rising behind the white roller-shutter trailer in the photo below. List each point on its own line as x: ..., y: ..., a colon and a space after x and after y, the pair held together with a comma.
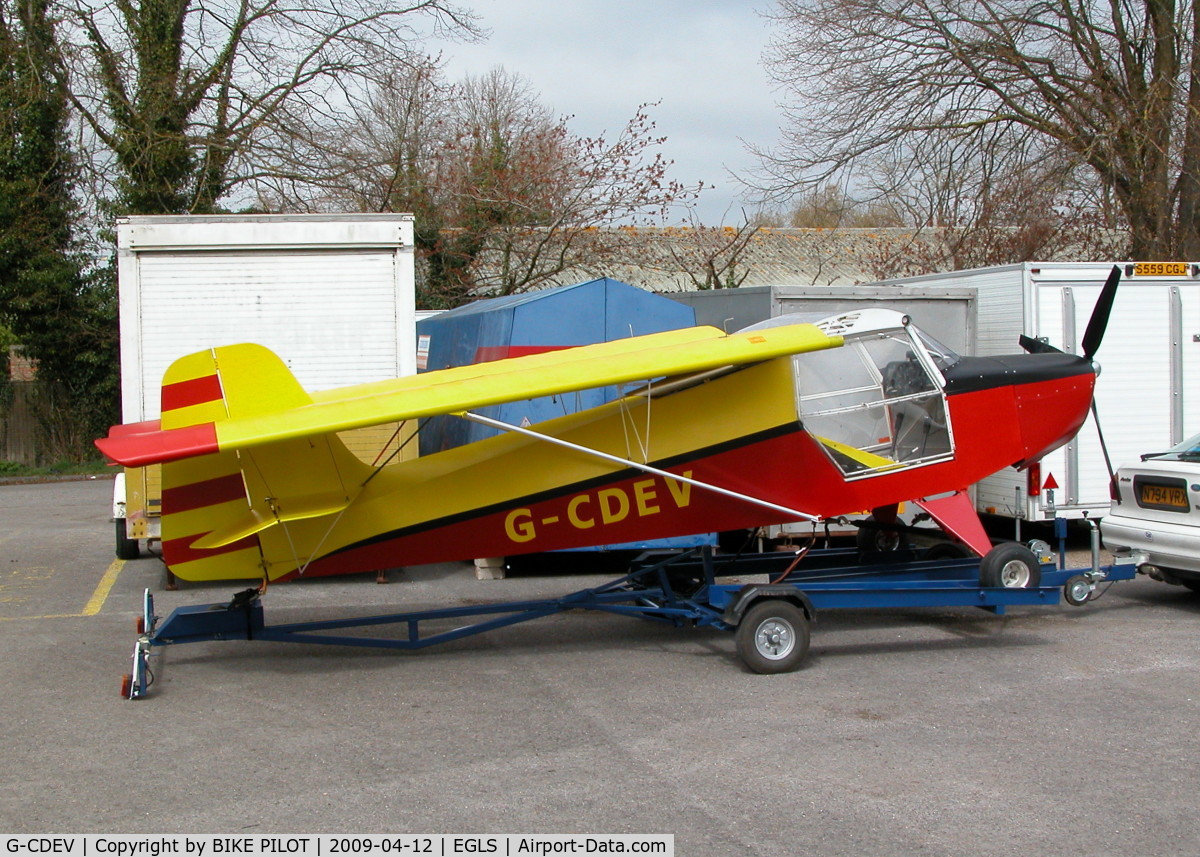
x: 185, y: 94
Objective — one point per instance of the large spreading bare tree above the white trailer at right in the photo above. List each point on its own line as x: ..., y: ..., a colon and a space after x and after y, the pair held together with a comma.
x: 988, y: 93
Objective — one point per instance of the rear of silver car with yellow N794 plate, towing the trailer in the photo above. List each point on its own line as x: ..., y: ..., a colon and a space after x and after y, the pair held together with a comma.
x: 1156, y: 514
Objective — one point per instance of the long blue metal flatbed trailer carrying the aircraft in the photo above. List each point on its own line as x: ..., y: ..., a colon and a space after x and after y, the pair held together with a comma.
x: 770, y: 620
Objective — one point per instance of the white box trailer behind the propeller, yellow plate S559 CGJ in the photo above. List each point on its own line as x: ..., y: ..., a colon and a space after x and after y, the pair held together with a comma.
x: 1150, y: 358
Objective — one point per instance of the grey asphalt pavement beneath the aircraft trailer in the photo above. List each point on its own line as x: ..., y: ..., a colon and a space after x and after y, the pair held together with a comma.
x: 1049, y: 730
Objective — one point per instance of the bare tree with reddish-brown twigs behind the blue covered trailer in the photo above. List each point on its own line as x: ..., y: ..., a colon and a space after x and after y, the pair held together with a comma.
x: 506, y: 196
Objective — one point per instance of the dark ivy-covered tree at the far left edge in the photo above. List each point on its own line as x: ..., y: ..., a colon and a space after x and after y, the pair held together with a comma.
x: 64, y: 320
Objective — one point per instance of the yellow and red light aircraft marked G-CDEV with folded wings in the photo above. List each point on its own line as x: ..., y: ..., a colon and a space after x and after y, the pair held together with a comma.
x: 787, y: 422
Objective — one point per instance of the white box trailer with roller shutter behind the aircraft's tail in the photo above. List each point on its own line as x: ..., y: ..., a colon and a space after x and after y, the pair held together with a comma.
x: 332, y: 295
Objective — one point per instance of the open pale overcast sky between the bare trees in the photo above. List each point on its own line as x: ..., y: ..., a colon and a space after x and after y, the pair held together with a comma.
x: 599, y: 59
